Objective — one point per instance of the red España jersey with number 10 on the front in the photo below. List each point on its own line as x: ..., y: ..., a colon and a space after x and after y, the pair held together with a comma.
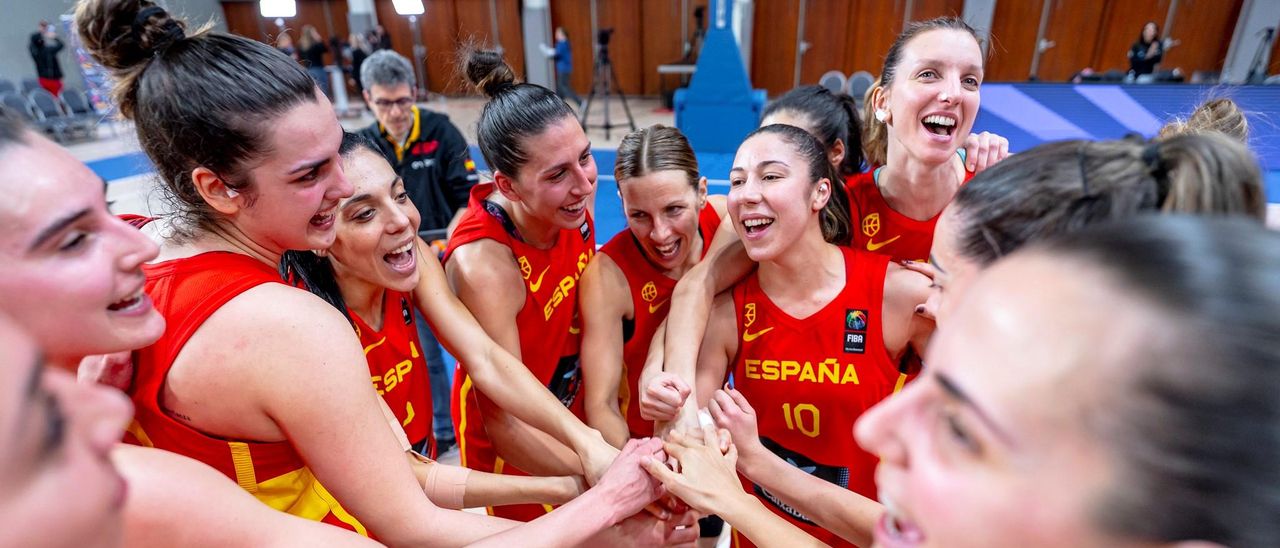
x: 810, y: 380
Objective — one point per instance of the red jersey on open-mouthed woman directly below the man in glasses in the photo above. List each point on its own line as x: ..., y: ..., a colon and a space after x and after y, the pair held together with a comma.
x: 397, y: 368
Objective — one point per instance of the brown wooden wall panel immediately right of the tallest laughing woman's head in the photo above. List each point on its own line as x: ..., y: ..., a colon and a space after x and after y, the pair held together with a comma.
x: 1013, y: 40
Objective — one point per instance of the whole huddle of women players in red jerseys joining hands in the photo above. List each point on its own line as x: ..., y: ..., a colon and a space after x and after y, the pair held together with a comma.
x: 889, y: 332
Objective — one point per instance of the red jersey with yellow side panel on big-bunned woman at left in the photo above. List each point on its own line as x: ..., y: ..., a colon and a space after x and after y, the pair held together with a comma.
x: 188, y: 291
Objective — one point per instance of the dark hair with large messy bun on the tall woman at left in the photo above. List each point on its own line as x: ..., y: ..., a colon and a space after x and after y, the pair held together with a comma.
x: 202, y: 101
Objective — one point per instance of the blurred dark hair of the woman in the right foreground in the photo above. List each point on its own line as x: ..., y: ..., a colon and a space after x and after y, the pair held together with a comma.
x: 1192, y: 421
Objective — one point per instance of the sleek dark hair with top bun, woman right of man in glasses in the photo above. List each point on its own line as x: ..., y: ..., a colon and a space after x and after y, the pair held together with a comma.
x: 514, y: 113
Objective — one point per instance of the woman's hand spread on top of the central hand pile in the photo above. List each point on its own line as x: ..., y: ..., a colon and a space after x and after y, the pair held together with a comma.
x: 707, y: 479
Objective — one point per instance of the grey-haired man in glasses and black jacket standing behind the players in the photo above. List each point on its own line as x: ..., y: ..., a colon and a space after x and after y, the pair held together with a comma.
x: 431, y: 154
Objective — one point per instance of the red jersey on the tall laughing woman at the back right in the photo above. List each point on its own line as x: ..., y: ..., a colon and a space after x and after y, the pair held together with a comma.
x: 881, y: 230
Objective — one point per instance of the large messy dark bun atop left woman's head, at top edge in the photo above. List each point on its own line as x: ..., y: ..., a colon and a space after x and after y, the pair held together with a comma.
x: 124, y: 35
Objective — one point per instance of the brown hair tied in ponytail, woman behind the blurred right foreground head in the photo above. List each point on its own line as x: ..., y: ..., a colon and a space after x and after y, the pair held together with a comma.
x: 1066, y: 186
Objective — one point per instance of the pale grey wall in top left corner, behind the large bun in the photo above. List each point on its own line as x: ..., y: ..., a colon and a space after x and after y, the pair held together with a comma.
x: 21, y: 19
